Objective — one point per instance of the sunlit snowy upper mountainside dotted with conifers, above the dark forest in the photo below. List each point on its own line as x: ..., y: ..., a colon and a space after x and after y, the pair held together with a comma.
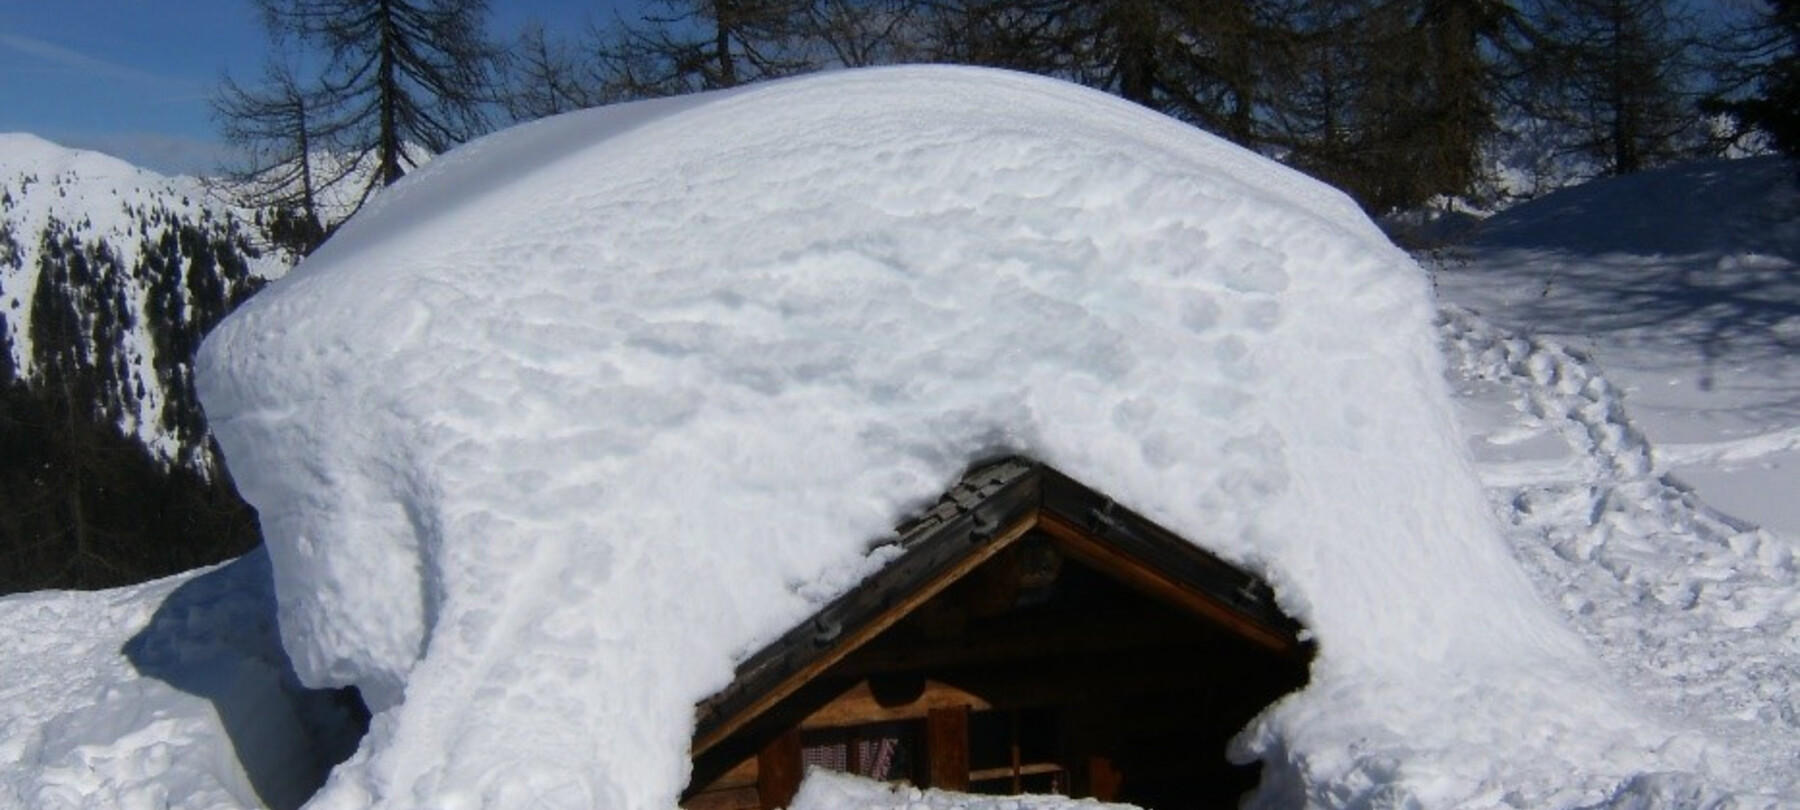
x: 109, y: 278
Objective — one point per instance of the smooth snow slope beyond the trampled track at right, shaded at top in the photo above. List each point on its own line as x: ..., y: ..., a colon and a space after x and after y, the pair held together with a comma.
x: 1686, y: 287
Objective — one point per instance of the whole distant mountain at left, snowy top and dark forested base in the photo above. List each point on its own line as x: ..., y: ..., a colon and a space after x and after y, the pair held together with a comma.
x: 111, y: 276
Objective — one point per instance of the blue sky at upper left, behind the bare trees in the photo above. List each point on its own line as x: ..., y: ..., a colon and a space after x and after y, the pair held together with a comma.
x: 134, y: 78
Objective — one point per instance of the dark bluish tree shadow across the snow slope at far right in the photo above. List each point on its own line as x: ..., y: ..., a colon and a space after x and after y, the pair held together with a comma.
x: 1704, y: 255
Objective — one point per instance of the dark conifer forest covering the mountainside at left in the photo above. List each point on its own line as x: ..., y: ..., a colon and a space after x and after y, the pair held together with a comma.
x: 82, y: 503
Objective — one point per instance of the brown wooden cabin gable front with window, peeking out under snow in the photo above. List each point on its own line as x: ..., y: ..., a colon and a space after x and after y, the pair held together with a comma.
x: 1025, y: 615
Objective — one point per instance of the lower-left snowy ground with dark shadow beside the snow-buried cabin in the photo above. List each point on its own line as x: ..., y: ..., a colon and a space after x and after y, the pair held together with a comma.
x: 168, y: 694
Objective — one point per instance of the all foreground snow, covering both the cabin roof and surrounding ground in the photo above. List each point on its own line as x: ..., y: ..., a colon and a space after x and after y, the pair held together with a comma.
x: 813, y: 341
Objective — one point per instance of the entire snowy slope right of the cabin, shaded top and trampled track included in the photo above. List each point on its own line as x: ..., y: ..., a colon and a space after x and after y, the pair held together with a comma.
x: 1630, y: 375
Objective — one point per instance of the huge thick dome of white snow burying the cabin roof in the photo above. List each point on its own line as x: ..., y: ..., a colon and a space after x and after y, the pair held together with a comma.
x: 584, y: 413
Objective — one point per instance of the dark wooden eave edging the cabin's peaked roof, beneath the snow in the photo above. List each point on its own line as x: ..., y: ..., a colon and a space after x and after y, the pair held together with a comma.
x: 987, y: 512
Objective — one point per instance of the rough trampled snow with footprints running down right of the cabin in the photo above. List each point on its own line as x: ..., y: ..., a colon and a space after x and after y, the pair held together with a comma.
x: 1695, y: 611
